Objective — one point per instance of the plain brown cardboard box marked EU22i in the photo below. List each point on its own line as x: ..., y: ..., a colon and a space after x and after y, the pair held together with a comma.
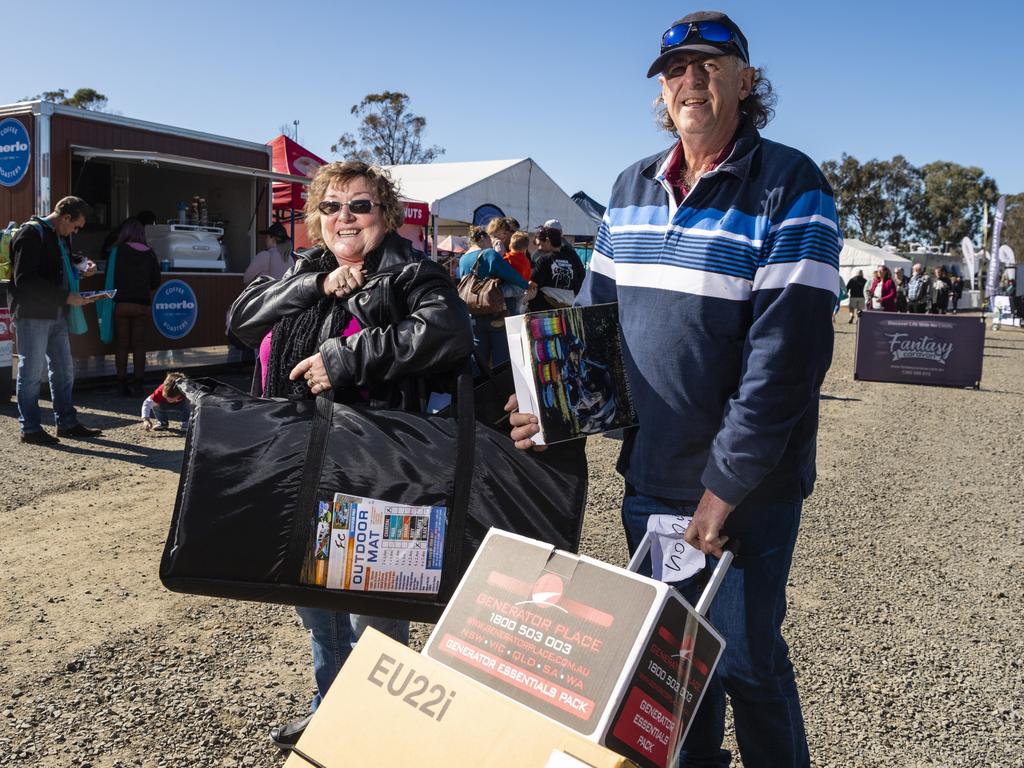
x: 393, y: 707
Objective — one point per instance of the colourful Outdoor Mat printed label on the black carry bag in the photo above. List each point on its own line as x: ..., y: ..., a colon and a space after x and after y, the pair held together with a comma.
x: 369, y: 545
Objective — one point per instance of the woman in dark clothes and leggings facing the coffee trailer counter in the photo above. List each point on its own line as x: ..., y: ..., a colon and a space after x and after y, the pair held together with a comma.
x: 137, y: 276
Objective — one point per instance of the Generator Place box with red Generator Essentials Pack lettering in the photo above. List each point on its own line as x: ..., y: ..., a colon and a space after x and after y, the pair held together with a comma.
x: 618, y: 658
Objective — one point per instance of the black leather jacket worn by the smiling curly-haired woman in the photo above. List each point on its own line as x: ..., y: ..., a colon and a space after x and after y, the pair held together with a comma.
x: 414, y: 324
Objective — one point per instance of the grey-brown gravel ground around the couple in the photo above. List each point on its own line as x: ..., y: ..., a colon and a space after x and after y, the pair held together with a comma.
x: 906, y: 601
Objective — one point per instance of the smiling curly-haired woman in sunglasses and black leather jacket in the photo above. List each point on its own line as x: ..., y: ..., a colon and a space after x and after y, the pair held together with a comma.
x: 361, y: 318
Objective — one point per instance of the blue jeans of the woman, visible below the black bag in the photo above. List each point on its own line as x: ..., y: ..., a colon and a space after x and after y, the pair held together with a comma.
x: 332, y: 637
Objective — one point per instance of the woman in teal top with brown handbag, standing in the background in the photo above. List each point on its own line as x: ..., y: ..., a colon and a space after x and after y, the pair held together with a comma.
x: 484, y: 274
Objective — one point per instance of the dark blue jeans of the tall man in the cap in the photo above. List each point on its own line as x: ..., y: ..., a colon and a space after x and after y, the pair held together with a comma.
x: 749, y: 610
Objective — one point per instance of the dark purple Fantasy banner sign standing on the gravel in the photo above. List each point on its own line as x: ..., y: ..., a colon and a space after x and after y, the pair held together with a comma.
x: 937, y: 350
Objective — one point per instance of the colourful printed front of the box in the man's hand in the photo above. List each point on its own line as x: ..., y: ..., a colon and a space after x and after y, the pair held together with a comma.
x: 579, y: 371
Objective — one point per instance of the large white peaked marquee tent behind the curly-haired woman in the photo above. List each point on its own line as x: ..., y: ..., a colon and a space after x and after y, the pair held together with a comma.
x: 519, y: 188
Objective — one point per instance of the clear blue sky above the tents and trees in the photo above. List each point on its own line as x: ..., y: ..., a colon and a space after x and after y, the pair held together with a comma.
x: 561, y: 82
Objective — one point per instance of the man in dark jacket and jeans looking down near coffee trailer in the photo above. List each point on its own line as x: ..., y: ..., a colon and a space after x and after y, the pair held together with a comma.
x: 41, y: 298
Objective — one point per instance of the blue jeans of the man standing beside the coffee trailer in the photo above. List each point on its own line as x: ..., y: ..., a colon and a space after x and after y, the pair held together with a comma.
x: 45, y: 345
